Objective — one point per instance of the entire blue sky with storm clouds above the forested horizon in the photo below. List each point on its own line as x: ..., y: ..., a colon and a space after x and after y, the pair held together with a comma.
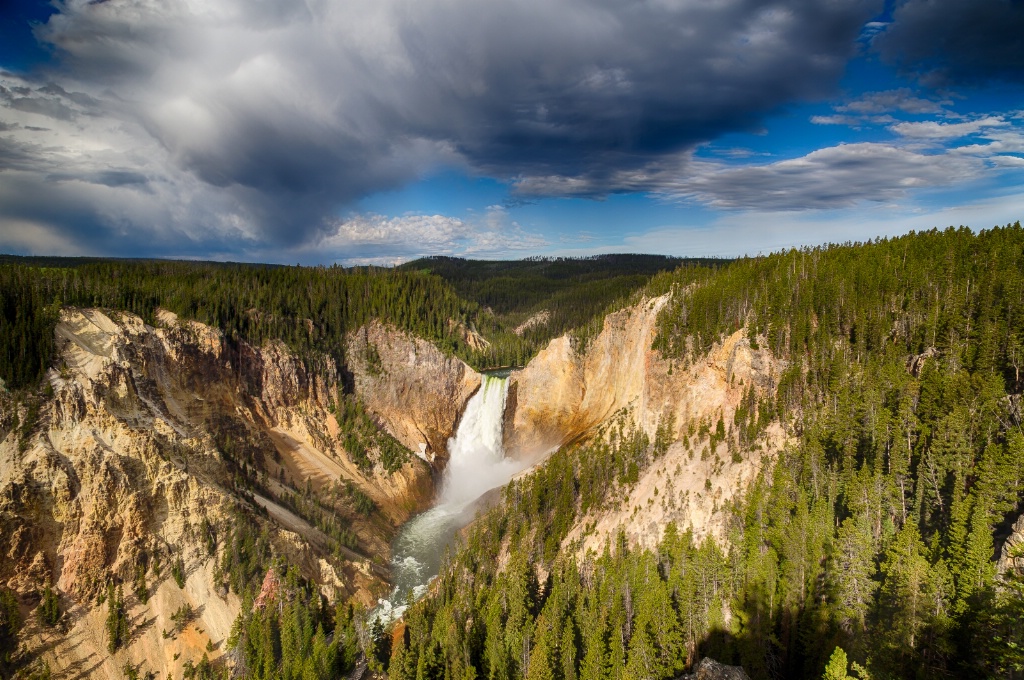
x: 377, y: 132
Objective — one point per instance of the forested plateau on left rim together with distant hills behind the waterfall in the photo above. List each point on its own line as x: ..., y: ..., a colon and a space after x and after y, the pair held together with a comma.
x: 444, y: 301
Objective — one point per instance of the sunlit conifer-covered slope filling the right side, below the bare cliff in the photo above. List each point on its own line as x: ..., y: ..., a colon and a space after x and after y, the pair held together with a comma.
x: 877, y: 532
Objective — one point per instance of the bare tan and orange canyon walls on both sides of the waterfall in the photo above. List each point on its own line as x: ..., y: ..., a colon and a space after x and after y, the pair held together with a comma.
x: 154, y: 439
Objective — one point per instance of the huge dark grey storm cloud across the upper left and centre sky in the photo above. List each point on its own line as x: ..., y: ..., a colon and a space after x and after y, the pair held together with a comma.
x: 274, y: 115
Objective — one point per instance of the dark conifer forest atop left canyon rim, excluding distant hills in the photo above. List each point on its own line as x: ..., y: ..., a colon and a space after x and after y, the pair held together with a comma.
x: 311, y: 309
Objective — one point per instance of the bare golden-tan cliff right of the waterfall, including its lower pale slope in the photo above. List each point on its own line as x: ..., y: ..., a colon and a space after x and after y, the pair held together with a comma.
x: 568, y: 394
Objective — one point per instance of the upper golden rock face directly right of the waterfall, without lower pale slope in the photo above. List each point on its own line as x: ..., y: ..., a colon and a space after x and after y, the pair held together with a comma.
x: 565, y: 394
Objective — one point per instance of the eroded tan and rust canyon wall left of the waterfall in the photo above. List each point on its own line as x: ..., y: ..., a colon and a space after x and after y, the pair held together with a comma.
x: 150, y: 444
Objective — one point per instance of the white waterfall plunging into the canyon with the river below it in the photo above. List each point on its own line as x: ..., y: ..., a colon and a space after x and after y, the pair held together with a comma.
x: 477, y: 464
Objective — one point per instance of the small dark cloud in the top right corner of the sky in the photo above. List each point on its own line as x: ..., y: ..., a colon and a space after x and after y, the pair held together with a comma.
x: 958, y: 42
